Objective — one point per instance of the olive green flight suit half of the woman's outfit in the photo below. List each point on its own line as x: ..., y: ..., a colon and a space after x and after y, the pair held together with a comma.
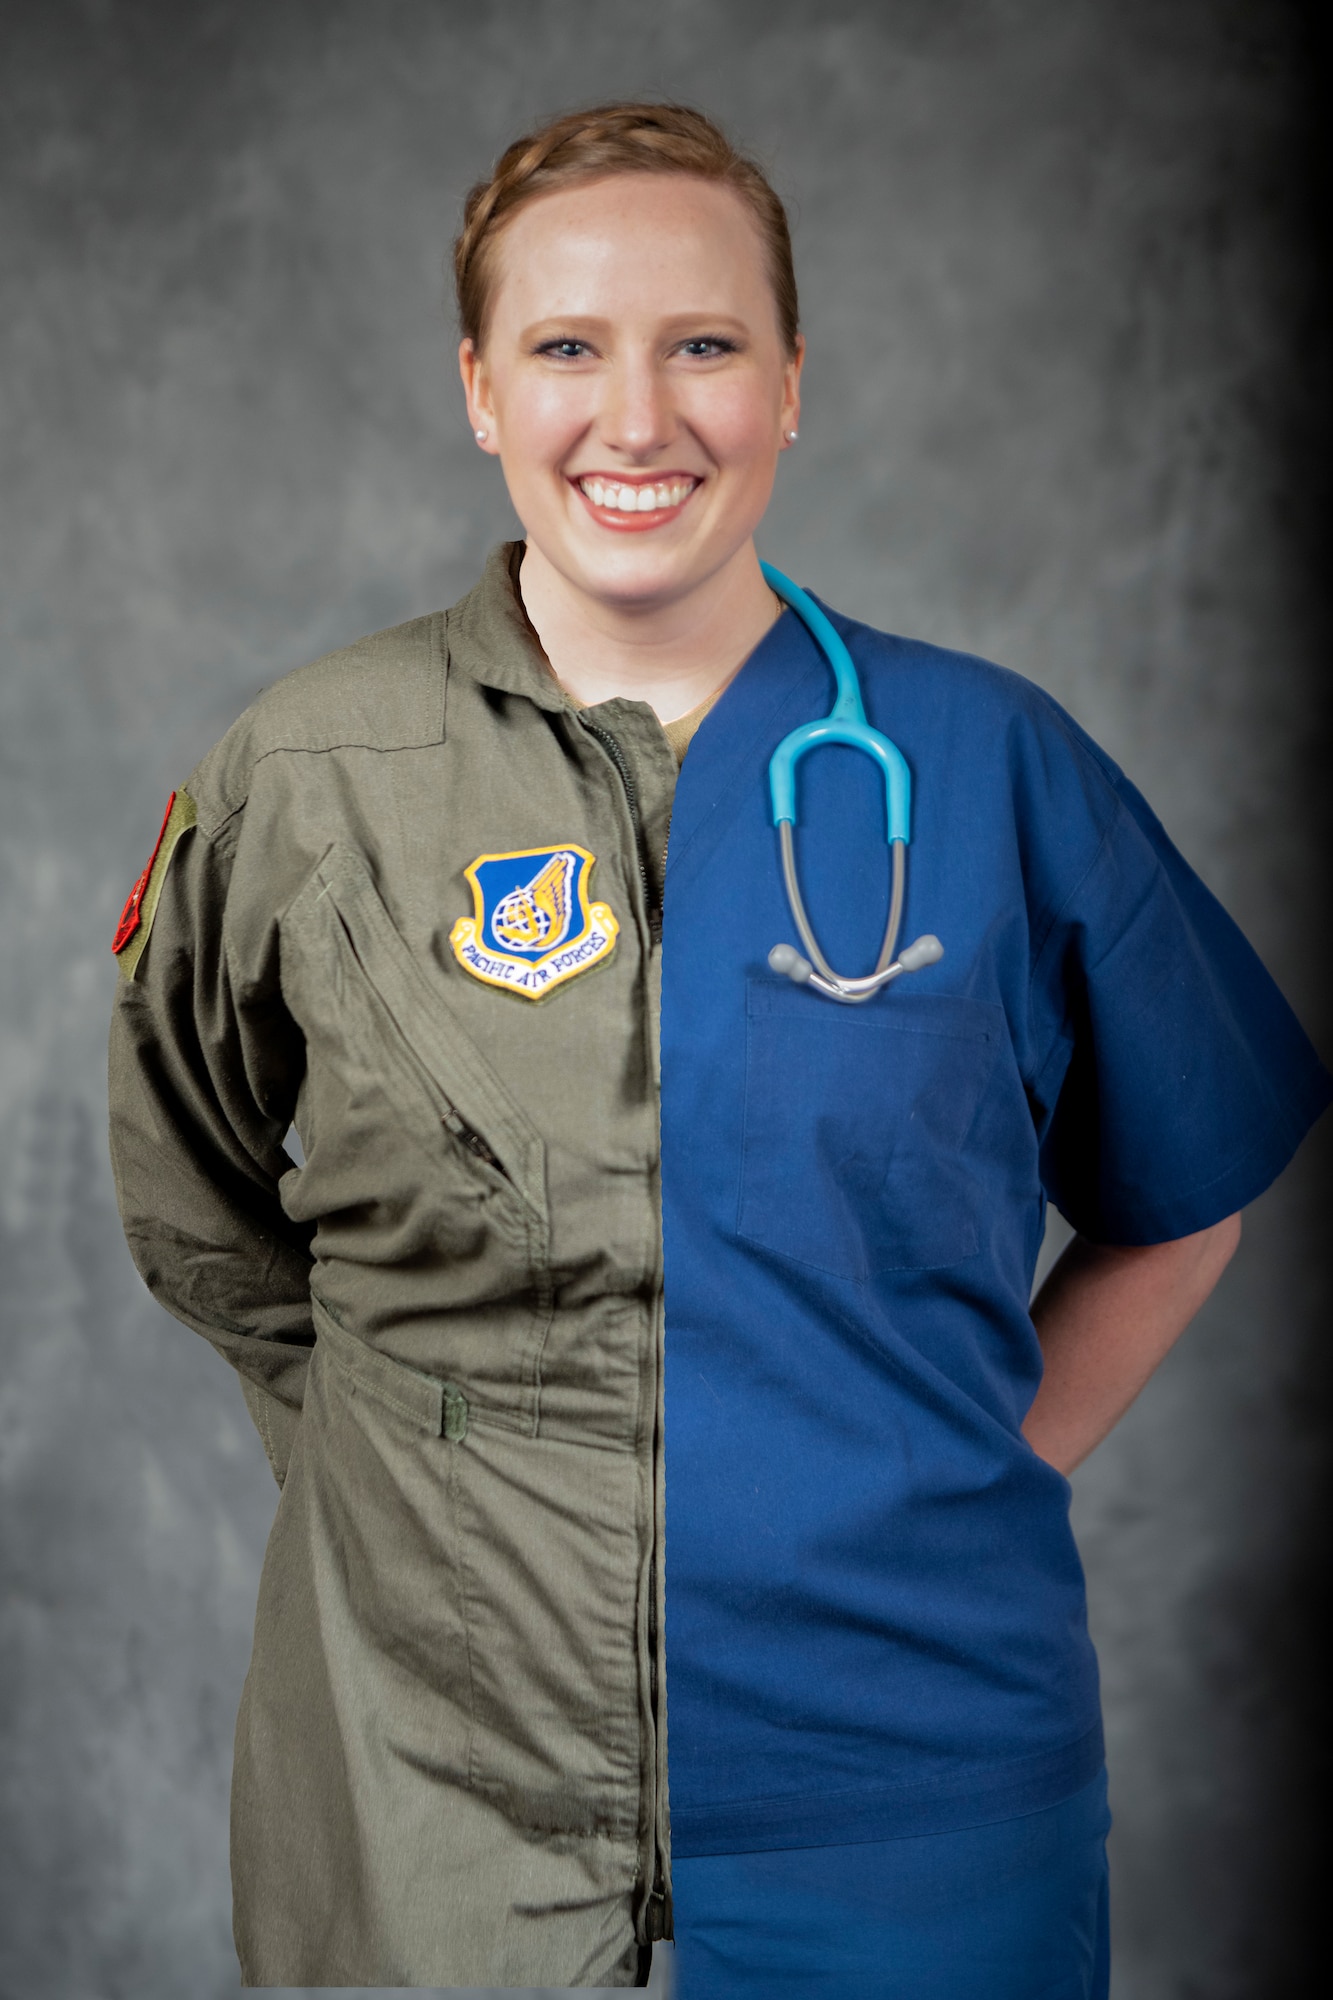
x: 451, y: 1755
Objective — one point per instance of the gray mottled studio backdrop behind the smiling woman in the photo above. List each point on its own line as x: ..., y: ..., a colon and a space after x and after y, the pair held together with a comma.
x: 1064, y: 409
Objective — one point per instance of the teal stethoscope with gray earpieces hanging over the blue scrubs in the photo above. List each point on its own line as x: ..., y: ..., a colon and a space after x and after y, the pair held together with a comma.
x: 844, y: 725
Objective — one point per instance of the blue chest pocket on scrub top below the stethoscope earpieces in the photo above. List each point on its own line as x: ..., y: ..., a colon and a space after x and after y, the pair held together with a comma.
x: 856, y: 1129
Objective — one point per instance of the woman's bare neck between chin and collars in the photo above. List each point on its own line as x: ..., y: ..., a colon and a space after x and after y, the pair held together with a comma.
x: 672, y: 657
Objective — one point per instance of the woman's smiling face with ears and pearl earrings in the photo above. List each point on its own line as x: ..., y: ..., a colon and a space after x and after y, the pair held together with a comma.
x: 635, y: 383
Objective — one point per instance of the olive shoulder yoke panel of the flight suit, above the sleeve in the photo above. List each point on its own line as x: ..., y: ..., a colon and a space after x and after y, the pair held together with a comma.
x: 383, y: 693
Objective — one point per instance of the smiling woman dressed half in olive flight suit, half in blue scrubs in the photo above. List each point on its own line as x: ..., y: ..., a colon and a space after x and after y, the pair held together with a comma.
x: 413, y: 903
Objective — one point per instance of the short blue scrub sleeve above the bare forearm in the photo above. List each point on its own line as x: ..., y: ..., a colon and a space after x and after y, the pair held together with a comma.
x: 1178, y: 1077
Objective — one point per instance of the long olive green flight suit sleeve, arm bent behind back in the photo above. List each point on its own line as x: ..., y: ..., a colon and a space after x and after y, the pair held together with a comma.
x: 203, y: 1085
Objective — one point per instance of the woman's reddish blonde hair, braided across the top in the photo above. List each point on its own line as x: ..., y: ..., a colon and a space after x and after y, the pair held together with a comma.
x: 615, y: 139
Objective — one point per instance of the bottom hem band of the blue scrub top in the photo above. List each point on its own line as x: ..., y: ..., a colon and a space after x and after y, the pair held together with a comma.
x: 966, y: 1795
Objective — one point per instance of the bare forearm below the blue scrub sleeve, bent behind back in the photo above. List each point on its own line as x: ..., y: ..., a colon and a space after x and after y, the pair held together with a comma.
x: 1106, y: 1319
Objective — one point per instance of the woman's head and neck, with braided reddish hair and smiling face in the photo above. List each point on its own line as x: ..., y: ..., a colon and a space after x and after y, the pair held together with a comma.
x: 633, y: 359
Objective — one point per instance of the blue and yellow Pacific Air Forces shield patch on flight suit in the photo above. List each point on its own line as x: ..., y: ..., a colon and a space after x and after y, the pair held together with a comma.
x: 533, y: 925
